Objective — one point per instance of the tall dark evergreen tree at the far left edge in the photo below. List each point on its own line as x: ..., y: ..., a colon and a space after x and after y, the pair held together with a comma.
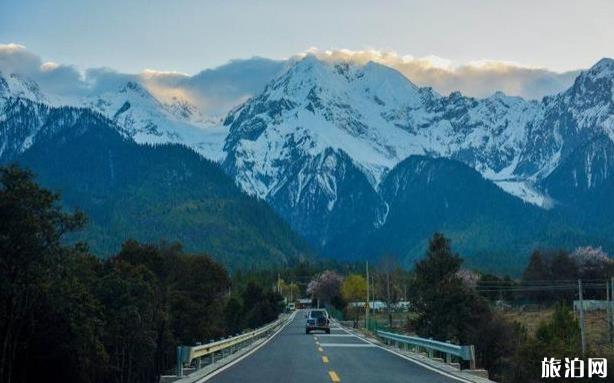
x: 31, y: 227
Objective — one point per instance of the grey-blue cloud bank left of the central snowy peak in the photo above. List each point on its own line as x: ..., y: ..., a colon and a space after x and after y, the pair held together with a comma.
x: 214, y: 91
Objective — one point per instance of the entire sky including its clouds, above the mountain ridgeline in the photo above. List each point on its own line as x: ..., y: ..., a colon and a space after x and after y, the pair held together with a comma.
x: 523, y: 48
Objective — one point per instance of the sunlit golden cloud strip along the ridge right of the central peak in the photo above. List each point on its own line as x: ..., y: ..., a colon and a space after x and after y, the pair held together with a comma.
x: 477, y: 78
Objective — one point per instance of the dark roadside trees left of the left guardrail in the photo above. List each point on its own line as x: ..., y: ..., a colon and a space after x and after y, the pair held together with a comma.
x: 66, y: 313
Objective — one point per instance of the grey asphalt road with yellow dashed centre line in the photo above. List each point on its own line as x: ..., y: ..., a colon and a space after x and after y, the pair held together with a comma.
x: 293, y: 356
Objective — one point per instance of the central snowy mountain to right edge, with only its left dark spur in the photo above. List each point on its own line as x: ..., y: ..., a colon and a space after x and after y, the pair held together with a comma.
x: 325, y: 129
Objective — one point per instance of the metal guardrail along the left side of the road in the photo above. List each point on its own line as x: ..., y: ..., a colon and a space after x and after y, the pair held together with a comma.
x: 187, y: 354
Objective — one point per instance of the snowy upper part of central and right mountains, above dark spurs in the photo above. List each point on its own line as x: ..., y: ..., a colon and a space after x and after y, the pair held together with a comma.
x: 378, y: 117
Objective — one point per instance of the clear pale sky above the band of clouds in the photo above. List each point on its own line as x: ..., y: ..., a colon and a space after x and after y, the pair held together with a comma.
x: 190, y: 35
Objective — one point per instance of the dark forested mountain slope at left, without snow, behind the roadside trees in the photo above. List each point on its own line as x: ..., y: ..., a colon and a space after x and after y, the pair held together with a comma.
x: 152, y: 193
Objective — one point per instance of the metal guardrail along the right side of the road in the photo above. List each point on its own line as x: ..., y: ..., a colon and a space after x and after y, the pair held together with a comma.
x: 463, y: 352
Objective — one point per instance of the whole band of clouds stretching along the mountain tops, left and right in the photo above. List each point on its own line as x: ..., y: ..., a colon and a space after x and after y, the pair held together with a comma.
x: 217, y: 90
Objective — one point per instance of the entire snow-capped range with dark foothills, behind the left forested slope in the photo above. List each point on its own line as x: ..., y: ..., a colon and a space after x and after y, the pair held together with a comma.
x: 327, y: 142
